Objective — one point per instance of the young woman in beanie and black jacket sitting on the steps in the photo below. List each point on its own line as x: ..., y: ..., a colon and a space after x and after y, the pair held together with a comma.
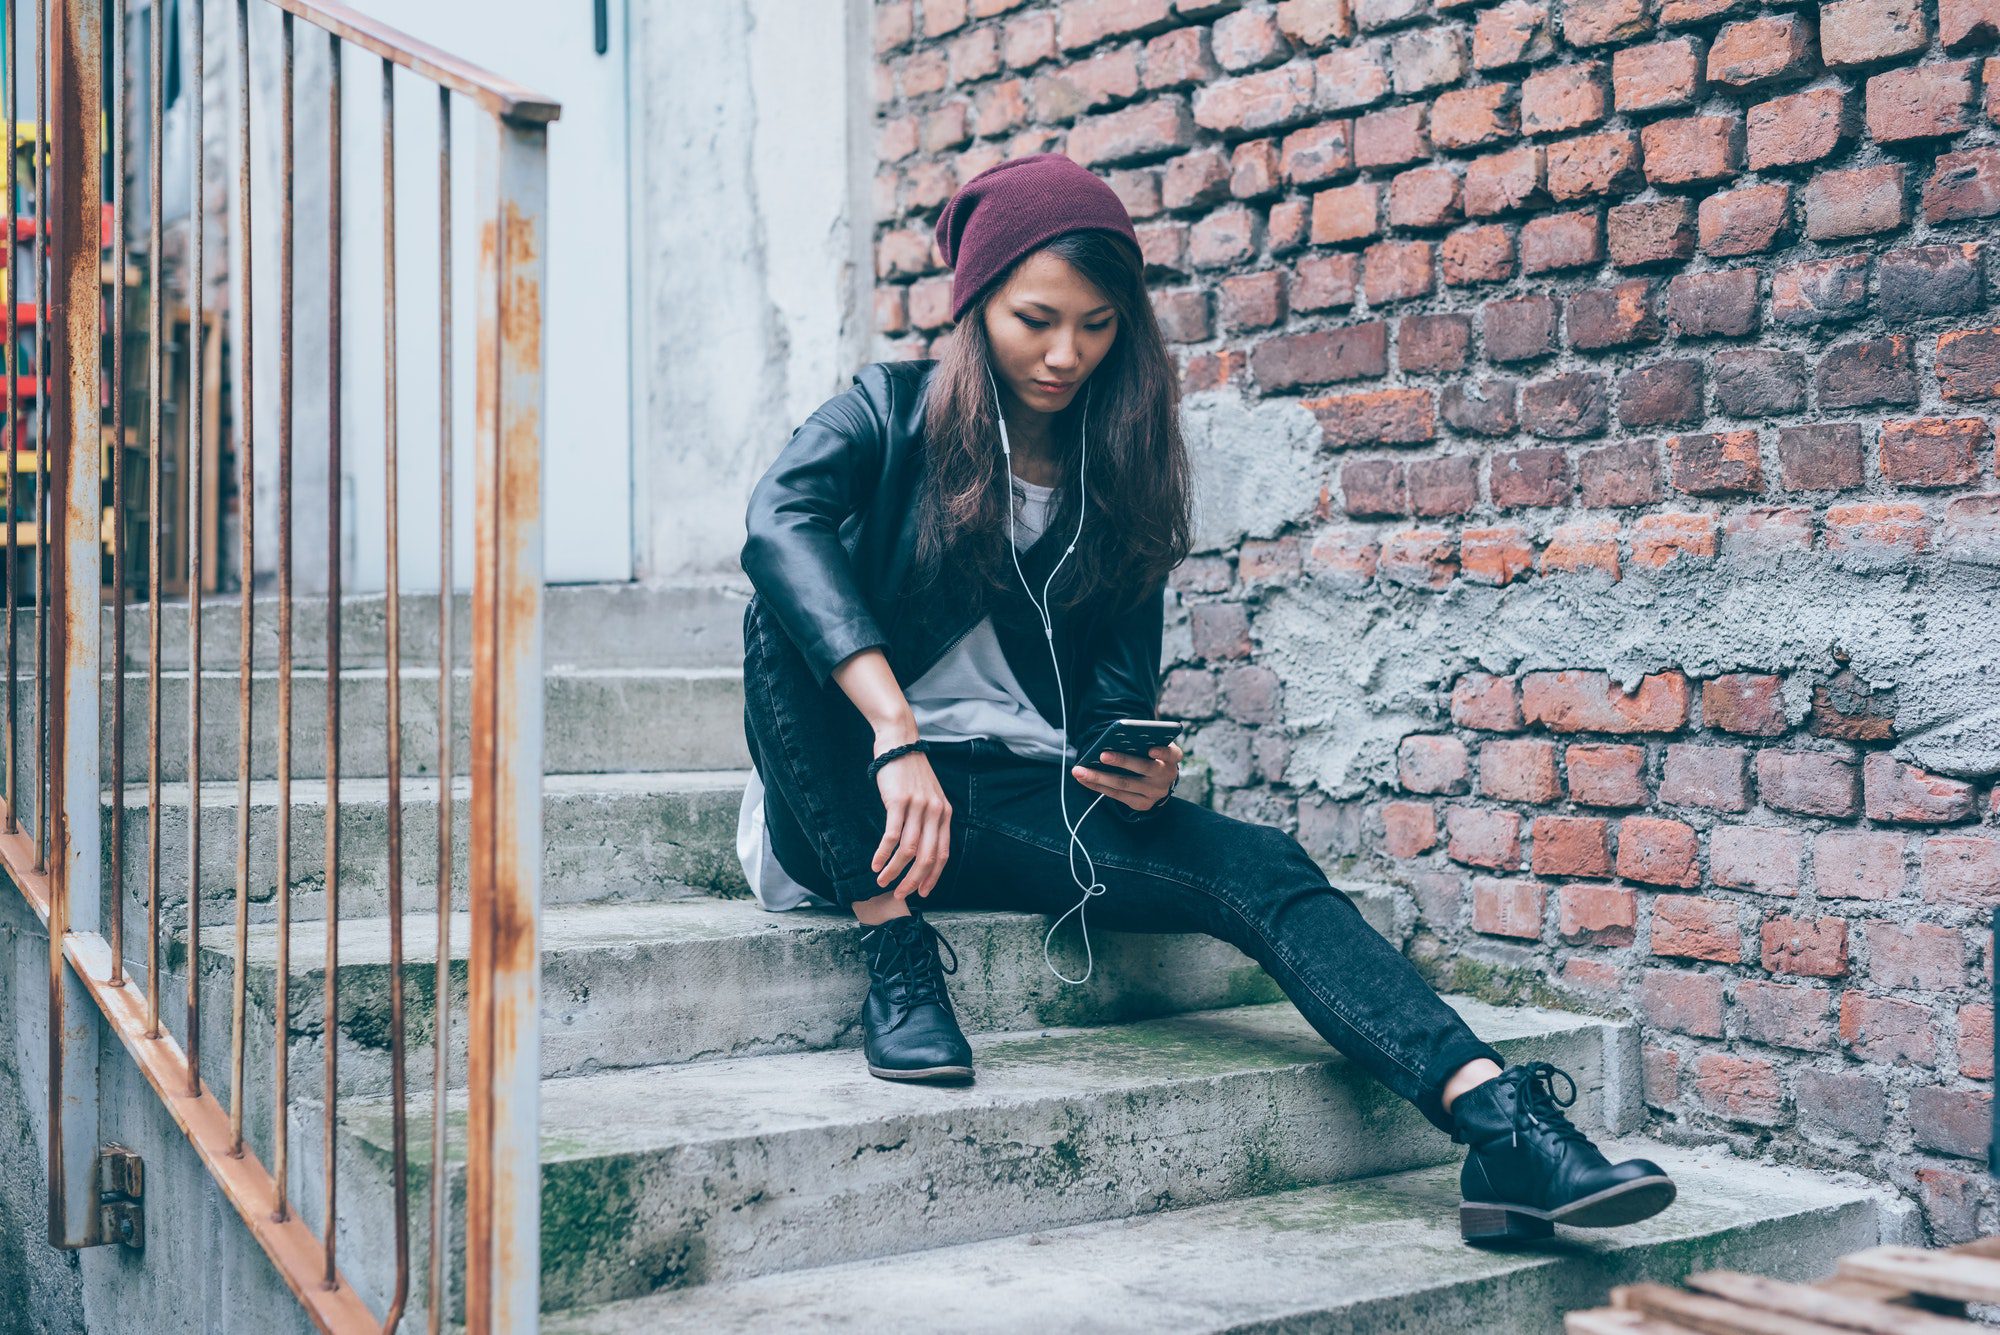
x: 961, y: 573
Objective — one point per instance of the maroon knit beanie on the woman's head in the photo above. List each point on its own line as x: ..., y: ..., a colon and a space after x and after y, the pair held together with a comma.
x: 1011, y: 209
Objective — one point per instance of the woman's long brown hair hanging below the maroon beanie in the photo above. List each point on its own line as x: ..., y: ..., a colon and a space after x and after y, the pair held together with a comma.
x: 1139, y: 479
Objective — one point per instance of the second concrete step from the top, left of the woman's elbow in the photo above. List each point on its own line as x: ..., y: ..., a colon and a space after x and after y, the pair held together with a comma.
x: 599, y: 720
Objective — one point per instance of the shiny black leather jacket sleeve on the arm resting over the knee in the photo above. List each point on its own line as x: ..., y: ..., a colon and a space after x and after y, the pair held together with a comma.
x: 793, y: 549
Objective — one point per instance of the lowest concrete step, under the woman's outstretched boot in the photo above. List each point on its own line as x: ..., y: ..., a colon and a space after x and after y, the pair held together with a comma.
x: 1353, y: 1258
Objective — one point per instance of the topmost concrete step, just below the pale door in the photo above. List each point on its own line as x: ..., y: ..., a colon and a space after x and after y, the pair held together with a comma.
x: 583, y: 627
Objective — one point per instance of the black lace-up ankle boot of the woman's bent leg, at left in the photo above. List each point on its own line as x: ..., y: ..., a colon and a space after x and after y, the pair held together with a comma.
x: 909, y: 1028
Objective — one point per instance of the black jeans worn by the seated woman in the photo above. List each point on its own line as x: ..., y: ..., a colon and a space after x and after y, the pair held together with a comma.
x: 1189, y: 870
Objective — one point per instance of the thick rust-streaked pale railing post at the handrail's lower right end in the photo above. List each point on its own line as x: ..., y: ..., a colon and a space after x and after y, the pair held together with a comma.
x: 503, y: 1156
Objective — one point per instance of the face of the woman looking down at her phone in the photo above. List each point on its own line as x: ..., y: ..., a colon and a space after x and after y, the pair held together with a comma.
x: 1049, y: 329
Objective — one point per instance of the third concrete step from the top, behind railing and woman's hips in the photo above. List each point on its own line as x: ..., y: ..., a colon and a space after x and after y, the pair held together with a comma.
x: 605, y: 838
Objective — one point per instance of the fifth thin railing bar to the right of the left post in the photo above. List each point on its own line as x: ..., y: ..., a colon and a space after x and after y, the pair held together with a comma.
x: 281, y: 1084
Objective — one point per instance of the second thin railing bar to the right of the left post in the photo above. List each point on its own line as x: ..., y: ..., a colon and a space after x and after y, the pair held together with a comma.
x: 155, y: 503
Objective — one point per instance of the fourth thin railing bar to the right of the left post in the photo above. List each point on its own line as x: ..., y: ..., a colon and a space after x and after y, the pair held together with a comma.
x: 247, y: 583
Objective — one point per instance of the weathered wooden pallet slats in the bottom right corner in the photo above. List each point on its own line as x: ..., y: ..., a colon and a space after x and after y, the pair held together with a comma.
x: 1877, y: 1292
